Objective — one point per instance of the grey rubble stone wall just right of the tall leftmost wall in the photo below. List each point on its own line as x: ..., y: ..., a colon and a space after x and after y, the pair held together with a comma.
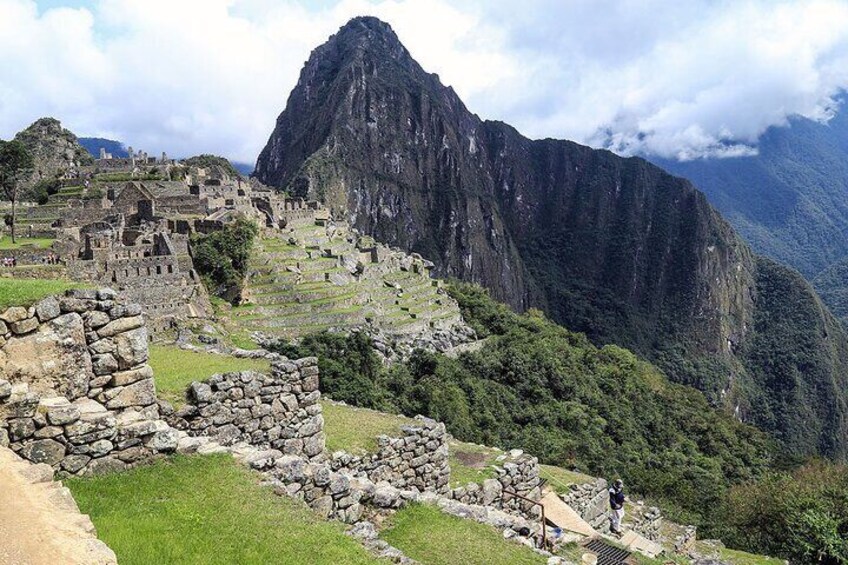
x: 280, y: 410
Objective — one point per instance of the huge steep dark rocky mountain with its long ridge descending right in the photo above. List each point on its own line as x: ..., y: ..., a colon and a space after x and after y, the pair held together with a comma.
x: 613, y: 247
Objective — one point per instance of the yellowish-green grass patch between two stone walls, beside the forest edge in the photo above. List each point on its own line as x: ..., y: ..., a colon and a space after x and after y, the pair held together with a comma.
x: 355, y: 430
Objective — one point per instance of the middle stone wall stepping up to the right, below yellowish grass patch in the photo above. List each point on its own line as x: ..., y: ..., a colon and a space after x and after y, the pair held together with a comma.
x: 418, y: 459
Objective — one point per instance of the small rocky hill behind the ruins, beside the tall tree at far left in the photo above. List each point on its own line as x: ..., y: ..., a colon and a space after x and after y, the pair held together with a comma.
x: 54, y: 149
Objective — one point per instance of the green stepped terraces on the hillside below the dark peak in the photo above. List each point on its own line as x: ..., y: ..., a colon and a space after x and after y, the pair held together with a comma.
x: 318, y: 276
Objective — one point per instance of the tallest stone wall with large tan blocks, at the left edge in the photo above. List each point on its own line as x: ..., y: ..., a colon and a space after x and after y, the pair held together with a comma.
x: 76, y: 391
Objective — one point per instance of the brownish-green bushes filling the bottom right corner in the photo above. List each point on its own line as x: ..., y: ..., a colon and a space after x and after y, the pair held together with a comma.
x: 801, y: 516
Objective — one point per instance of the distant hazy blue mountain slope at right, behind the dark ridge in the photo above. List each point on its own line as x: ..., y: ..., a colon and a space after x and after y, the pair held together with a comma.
x: 790, y: 201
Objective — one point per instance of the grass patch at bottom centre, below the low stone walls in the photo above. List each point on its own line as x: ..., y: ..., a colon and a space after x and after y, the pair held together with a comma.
x: 426, y: 534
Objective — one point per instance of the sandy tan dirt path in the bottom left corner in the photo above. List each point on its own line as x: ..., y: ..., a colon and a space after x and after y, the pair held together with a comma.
x: 40, y: 523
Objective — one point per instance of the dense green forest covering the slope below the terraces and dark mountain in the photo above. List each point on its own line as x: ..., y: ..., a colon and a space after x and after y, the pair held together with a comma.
x: 540, y: 387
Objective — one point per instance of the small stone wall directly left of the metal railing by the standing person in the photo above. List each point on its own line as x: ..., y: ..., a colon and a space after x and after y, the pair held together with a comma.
x: 518, y: 473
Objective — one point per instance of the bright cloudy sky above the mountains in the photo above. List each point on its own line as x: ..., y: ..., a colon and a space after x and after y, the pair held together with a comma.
x: 679, y: 79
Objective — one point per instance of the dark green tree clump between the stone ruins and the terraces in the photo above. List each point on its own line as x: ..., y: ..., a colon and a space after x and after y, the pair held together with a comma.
x: 221, y: 257
